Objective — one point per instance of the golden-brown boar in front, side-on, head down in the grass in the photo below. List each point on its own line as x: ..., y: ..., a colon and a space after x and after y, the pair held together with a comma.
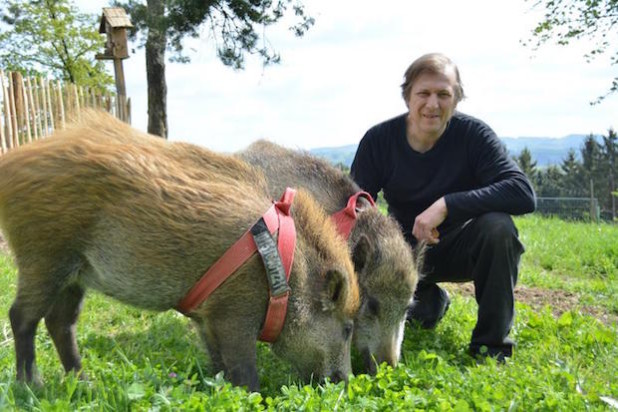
x: 103, y: 206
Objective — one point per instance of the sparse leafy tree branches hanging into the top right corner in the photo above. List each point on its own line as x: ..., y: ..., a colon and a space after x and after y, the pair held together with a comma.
x: 568, y: 20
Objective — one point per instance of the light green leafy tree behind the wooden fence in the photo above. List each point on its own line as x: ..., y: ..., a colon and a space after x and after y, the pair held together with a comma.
x: 51, y: 37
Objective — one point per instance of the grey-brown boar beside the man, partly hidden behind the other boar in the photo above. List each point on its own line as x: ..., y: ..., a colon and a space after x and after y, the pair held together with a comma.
x: 384, y: 263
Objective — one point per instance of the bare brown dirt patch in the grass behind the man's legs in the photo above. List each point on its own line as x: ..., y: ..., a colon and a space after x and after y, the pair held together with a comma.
x: 559, y: 301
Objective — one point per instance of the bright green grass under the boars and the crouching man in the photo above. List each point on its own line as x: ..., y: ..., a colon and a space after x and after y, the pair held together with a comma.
x: 145, y: 361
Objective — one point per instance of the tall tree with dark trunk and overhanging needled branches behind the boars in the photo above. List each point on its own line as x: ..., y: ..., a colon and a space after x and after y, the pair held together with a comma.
x: 233, y: 25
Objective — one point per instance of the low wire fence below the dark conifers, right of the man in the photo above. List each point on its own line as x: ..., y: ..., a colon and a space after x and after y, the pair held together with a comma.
x: 574, y: 208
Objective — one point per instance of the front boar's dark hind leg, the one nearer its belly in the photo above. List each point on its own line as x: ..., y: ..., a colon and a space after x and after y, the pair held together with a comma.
x: 61, y: 321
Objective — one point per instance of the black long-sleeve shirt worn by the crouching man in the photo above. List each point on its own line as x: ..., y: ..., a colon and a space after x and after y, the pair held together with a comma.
x: 468, y: 165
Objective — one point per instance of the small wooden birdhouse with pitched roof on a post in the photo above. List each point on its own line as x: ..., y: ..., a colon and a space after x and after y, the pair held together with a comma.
x: 114, y: 23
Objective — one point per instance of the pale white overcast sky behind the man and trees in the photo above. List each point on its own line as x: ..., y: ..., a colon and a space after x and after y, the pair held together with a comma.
x: 344, y: 76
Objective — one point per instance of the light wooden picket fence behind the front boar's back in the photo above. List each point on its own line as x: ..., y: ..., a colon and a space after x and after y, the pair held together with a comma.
x: 32, y: 108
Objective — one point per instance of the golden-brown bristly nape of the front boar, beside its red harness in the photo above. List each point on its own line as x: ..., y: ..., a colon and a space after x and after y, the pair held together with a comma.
x: 320, y: 231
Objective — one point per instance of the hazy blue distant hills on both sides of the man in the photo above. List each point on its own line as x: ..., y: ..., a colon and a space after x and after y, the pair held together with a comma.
x: 545, y: 150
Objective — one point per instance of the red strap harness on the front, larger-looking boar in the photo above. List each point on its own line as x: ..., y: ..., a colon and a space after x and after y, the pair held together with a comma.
x: 276, y: 217
